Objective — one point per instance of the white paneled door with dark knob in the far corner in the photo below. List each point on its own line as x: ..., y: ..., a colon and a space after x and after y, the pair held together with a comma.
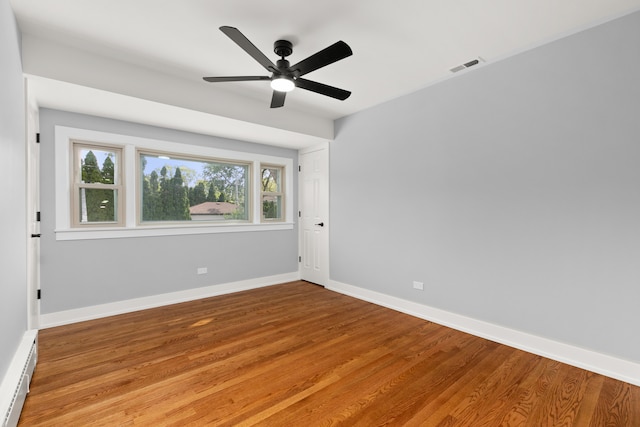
x: 314, y: 214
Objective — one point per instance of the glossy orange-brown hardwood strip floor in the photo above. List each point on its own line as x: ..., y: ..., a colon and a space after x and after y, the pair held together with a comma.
x: 299, y: 355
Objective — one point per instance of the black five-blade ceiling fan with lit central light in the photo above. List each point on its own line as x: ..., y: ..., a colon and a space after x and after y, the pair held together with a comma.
x: 284, y: 77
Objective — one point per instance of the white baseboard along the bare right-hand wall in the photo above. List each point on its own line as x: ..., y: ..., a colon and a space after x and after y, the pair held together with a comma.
x: 610, y: 366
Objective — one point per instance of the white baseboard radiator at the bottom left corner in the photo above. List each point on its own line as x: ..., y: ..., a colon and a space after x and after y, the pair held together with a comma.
x: 16, y: 383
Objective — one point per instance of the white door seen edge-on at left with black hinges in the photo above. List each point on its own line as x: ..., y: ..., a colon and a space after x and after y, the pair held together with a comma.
x: 33, y: 209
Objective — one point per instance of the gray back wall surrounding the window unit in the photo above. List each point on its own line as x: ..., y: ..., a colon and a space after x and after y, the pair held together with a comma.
x: 78, y: 274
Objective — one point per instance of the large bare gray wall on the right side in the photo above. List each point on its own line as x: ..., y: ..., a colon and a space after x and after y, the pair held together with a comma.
x: 511, y: 190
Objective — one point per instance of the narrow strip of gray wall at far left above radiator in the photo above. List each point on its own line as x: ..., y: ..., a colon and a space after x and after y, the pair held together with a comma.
x: 13, y: 228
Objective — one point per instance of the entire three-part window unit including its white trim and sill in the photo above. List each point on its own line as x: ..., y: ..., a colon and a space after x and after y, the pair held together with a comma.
x: 120, y: 196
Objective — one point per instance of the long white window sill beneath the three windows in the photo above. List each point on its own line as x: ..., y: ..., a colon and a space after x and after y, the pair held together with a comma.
x: 165, y: 230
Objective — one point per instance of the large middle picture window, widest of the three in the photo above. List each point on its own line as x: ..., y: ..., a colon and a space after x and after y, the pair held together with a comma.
x: 183, y: 189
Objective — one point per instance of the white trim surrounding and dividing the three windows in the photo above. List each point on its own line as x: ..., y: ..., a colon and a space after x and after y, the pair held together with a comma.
x: 64, y: 231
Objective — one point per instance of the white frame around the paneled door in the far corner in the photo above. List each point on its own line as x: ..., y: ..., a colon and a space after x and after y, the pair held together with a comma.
x: 324, y: 146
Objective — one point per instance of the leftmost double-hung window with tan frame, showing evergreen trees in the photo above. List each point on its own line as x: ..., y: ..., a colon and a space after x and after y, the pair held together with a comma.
x: 97, y: 189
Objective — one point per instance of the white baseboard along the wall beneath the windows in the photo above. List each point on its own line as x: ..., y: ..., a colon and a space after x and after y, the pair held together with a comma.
x: 66, y: 317
